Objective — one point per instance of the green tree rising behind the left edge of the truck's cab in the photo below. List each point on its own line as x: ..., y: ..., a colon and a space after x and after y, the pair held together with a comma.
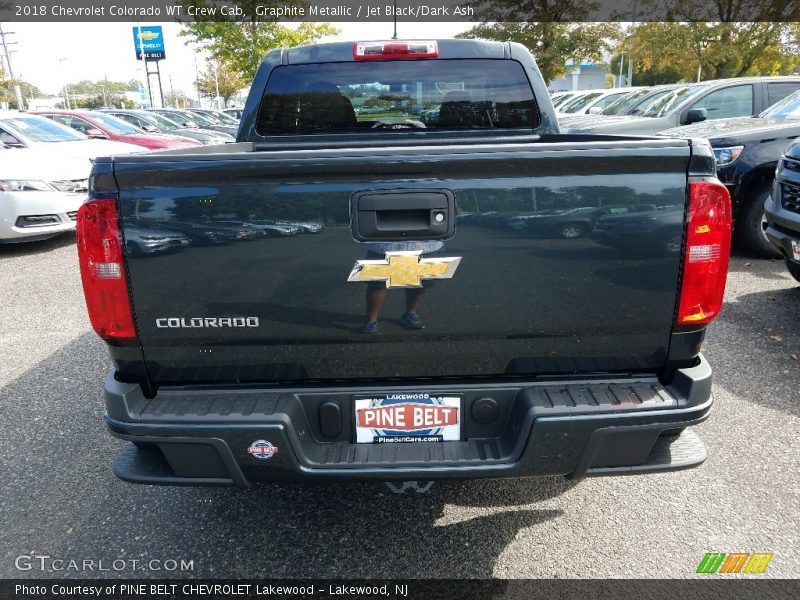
x: 243, y: 43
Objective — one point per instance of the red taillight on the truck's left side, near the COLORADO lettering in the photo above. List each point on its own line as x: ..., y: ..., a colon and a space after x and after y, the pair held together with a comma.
x: 102, y: 271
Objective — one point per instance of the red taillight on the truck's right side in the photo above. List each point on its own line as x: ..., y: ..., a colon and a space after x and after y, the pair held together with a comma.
x: 708, y: 248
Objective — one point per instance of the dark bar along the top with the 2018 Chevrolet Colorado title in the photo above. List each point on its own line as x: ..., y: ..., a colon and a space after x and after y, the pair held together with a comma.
x: 403, y: 10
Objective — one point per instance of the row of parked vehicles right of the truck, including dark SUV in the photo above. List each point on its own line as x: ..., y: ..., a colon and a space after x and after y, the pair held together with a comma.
x: 748, y: 121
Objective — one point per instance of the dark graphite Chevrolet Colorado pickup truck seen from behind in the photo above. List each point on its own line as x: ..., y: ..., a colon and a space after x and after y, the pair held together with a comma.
x: 416, y: 336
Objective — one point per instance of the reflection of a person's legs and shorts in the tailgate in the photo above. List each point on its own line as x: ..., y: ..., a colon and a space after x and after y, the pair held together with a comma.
x: 377, y: 291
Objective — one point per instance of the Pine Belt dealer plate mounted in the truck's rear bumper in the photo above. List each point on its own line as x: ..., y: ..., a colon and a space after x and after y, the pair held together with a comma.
x: 393, y: 418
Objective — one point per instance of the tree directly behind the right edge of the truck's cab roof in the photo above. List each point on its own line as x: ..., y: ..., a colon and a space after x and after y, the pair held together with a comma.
x: 551, y: 43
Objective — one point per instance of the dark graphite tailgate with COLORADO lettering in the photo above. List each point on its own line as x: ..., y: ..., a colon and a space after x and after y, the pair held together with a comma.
x: 570, y: 256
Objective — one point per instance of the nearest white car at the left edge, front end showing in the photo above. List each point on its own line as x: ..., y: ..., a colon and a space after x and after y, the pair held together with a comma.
x: 40, y: 193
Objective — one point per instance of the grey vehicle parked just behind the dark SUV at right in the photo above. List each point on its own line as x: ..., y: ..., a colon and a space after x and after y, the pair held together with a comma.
x: 687, y: 104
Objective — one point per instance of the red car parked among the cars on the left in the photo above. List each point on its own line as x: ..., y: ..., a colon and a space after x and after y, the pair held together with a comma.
x: 100, y: 125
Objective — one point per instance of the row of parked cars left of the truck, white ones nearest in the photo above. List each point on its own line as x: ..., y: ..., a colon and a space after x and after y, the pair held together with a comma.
x: 45, y: 157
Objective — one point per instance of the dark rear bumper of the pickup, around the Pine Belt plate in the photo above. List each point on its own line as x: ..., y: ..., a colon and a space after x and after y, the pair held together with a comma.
x: 571, y: 428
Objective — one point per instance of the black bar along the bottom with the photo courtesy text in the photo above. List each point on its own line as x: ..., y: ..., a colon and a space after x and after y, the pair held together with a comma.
x: 709, y: 587
